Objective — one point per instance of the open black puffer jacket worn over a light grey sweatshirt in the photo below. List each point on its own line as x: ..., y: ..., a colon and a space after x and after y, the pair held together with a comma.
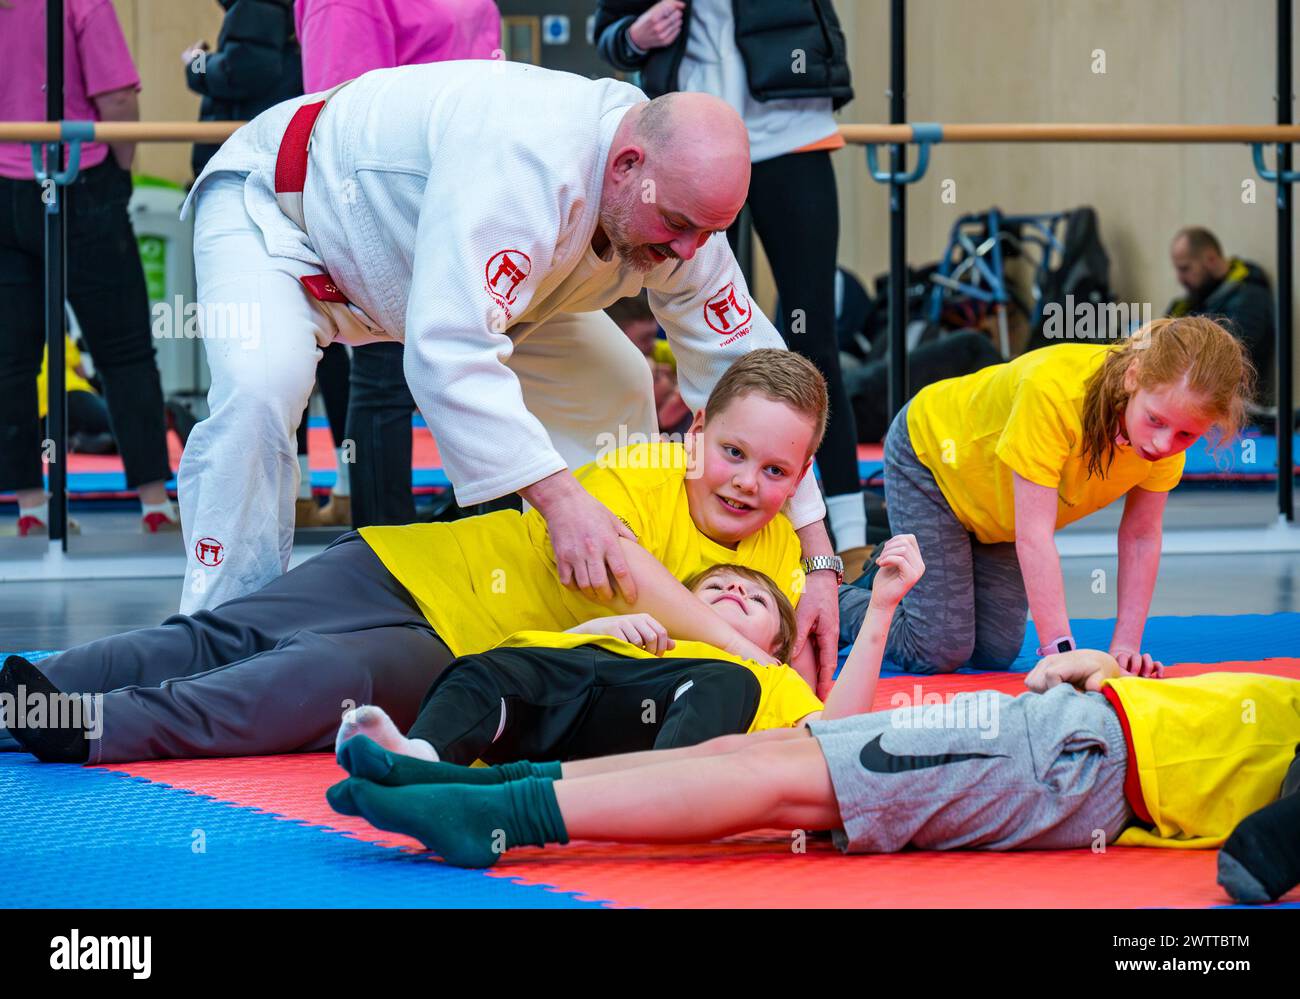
x: 766, y: 34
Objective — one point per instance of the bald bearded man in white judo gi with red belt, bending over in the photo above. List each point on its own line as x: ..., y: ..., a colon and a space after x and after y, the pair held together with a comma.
x: 483, y: 214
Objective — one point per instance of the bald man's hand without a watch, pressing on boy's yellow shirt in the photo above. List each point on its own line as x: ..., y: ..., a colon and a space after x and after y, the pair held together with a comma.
x: 586, y: 537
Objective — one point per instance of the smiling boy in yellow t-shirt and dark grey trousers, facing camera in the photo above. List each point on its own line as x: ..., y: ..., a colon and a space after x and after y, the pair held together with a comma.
x: 379, y: 616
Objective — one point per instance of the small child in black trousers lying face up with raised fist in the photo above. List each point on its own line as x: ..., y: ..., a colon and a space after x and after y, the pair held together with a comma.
x: 622, y: 685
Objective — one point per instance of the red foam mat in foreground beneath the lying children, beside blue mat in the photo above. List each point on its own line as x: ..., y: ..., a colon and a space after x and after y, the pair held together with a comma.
x: 765, y: 870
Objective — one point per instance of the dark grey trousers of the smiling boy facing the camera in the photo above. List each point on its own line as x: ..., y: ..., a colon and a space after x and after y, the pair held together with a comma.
x: 268, y: 673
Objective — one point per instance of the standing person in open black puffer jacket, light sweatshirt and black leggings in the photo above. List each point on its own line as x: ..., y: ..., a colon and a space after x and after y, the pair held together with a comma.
x: 782, y: 66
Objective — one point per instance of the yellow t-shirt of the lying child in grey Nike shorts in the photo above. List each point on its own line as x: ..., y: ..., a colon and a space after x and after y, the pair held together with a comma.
x: 1210, y: 750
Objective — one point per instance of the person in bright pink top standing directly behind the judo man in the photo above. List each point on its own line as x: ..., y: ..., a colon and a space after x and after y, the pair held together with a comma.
x: 341, y: 41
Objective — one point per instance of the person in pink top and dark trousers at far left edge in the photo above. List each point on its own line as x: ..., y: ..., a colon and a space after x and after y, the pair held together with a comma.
x: 106, y: 282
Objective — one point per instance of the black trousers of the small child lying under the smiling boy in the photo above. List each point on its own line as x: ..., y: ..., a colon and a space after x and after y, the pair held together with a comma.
x: 574, y: 704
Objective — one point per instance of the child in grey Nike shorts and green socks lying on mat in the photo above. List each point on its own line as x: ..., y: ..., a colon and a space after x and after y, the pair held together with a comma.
x: 1173, y: 763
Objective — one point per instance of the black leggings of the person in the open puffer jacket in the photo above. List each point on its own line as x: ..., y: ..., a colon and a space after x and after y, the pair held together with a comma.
x: 796, y: 214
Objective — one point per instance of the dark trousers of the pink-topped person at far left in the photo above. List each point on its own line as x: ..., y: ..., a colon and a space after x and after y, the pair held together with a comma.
x: 106, y: 287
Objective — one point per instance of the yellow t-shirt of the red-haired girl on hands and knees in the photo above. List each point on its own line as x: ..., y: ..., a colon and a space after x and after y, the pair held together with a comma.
x: 1024, y: 417
